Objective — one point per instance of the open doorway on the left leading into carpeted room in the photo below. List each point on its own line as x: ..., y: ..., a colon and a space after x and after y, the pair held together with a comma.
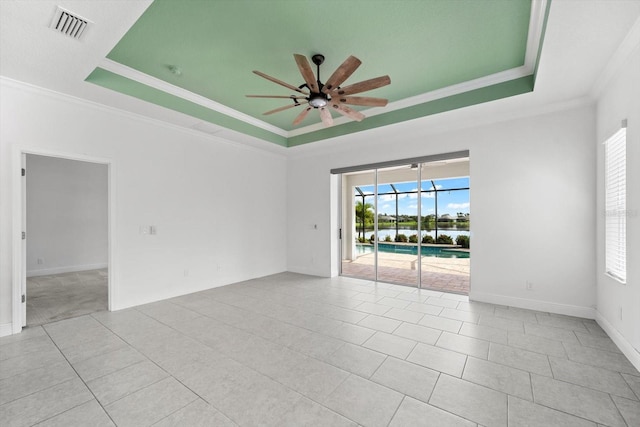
x: 66, y: 245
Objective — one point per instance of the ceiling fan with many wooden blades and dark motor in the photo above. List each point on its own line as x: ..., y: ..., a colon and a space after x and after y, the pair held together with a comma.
x: 313, y: 94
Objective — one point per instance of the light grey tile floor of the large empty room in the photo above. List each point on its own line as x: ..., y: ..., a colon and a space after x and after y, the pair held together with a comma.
x: 294, y: 350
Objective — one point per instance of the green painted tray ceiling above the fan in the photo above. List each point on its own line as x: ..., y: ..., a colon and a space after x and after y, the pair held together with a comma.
x: 423, y: 45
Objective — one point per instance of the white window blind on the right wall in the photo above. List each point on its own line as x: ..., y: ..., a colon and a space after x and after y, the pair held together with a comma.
x: 615, y: 205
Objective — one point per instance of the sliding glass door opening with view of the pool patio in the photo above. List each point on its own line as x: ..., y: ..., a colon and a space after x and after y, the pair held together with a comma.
x: 408, y: 224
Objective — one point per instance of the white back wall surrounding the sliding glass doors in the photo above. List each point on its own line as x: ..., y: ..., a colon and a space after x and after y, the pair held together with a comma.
x: 532, y: 198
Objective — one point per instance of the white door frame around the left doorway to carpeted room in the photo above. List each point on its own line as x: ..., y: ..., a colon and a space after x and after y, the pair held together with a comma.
x: 19, y: 265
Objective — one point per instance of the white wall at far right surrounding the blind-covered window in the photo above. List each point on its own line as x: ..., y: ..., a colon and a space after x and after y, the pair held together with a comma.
x: 621, y: 100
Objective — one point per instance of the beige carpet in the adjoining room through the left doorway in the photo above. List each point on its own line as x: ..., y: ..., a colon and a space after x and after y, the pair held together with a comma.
x: 66, y: 295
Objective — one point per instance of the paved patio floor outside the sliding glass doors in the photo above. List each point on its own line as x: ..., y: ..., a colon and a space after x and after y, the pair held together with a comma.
x: 441, y: 274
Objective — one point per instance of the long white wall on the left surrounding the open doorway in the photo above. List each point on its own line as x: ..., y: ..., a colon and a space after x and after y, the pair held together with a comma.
x: 219, y: 208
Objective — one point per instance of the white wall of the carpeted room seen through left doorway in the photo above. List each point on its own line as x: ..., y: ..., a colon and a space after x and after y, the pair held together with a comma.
x: 66, y: 215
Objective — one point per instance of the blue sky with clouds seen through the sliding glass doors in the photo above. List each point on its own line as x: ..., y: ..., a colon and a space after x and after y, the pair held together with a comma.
x: 448, y: 202
